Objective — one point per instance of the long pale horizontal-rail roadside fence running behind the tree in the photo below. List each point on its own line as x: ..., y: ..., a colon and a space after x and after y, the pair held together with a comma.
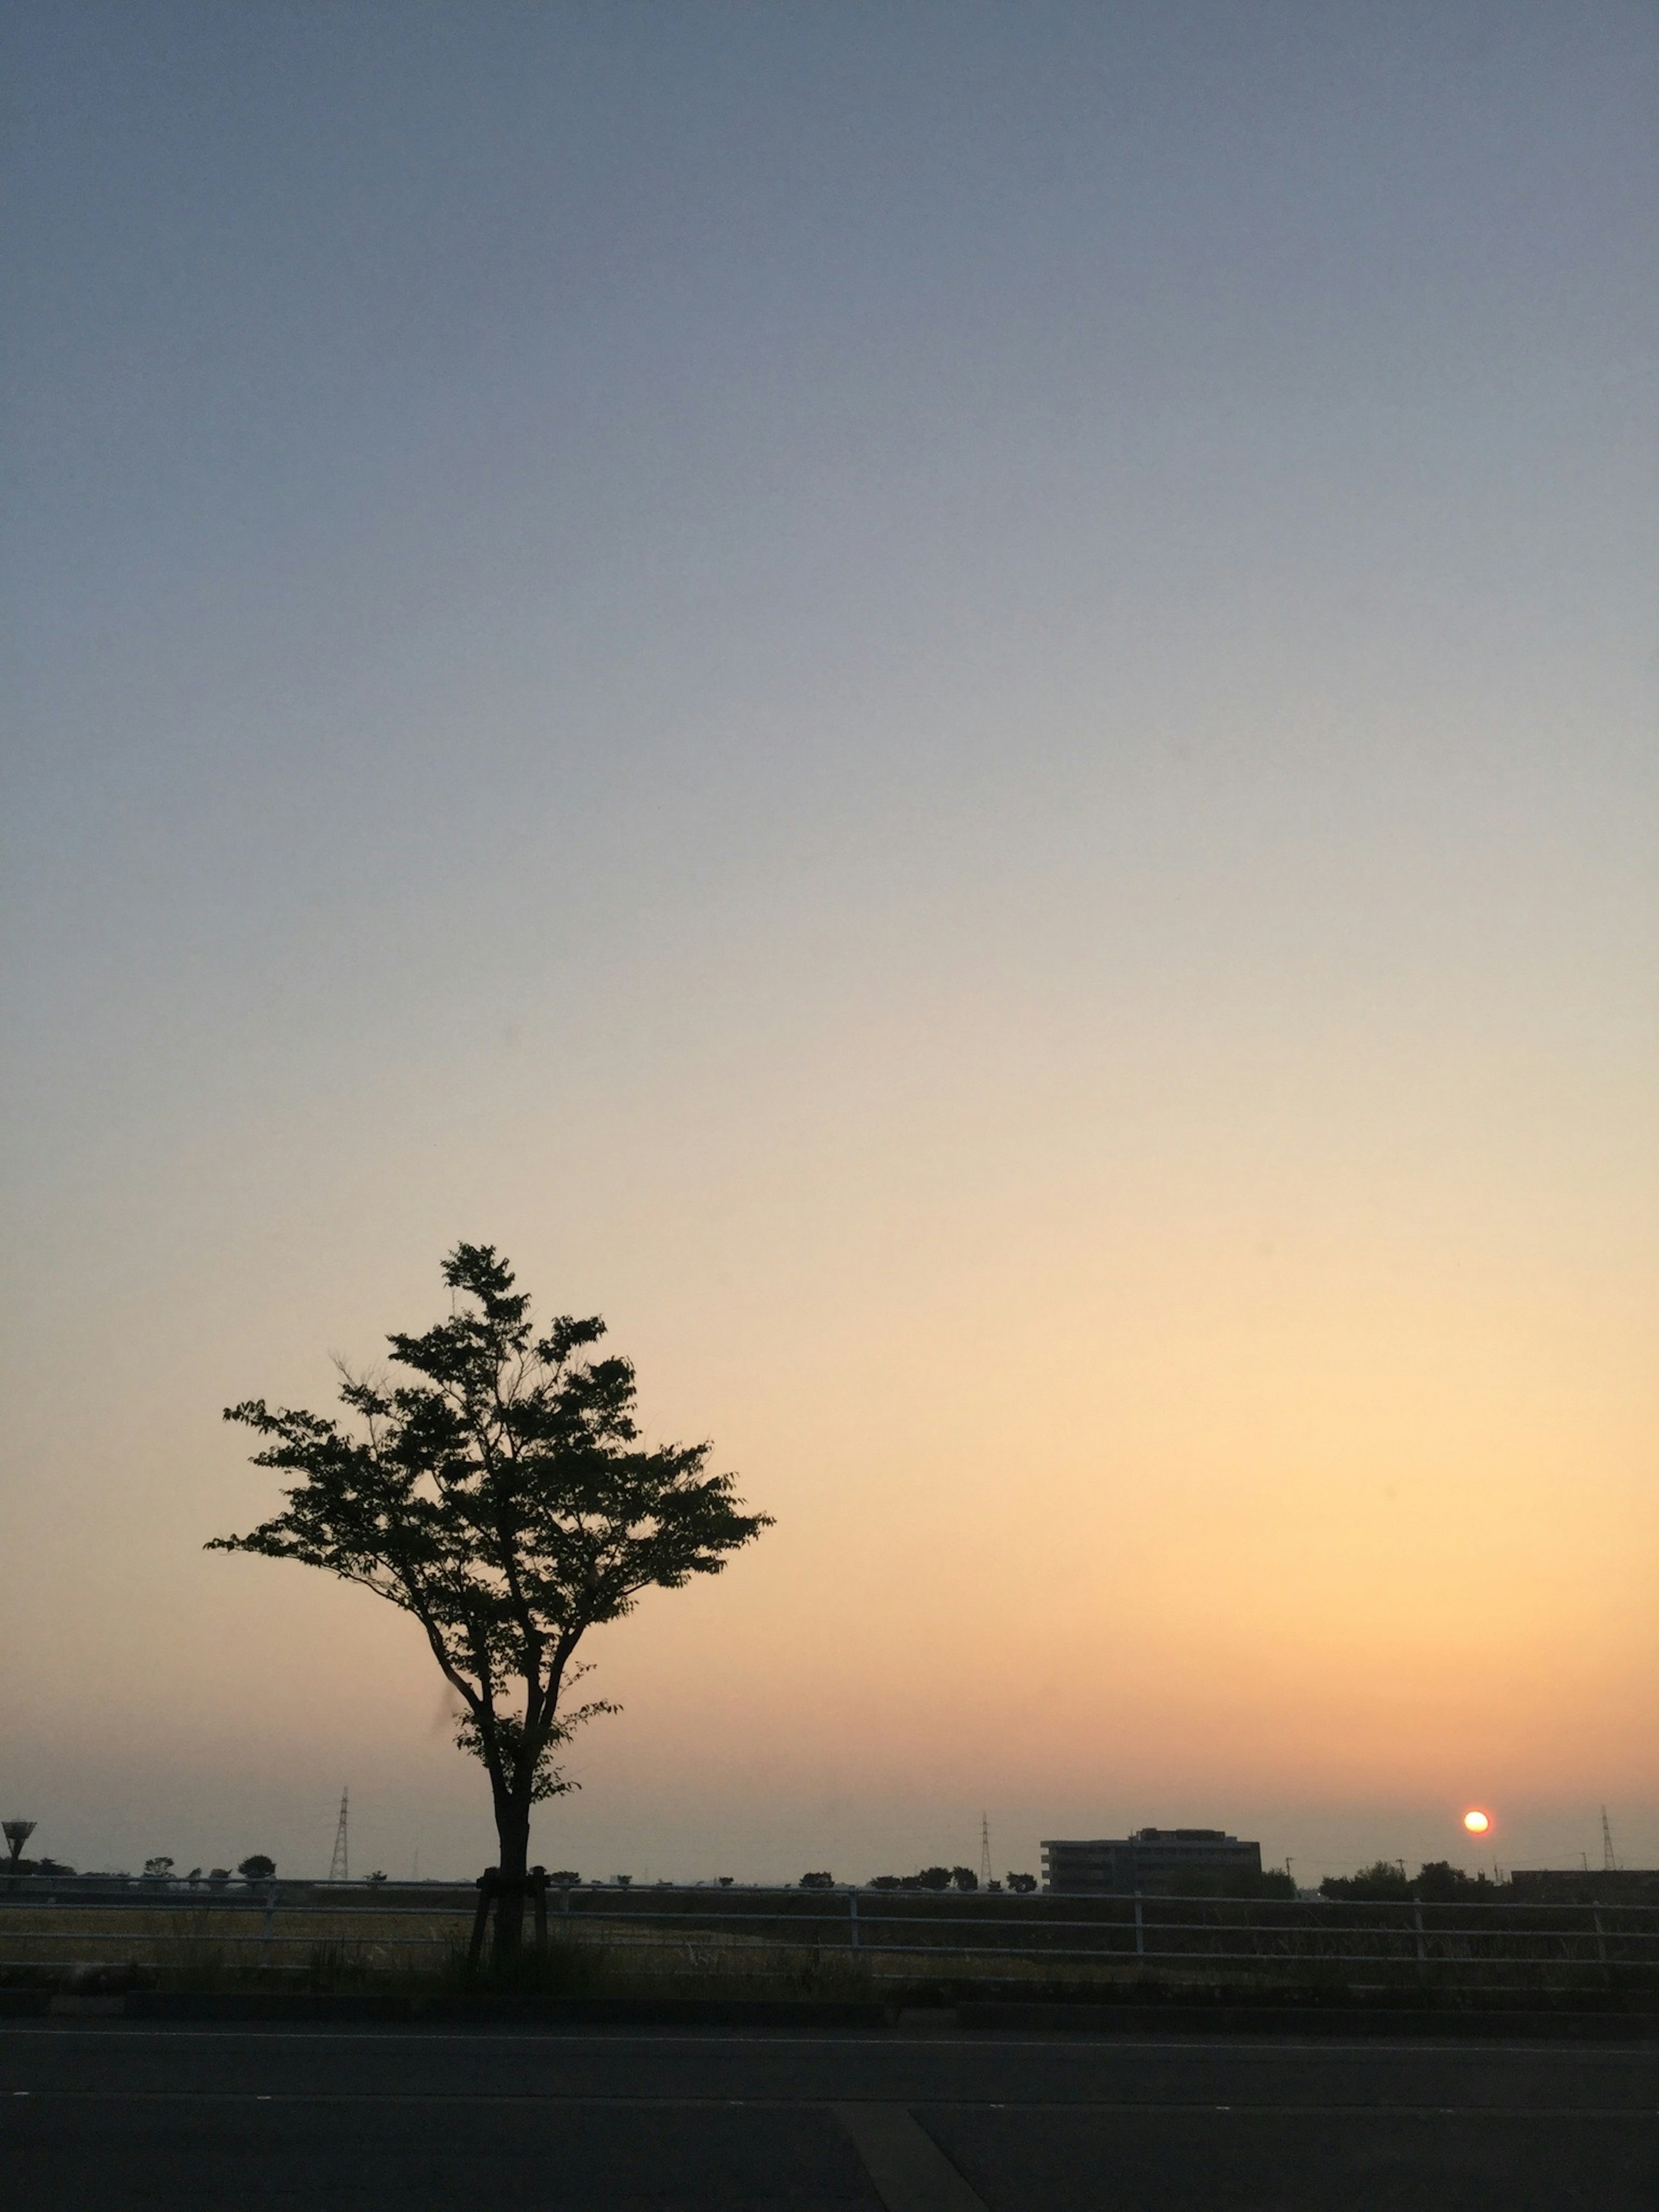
x: 1016, y: 1937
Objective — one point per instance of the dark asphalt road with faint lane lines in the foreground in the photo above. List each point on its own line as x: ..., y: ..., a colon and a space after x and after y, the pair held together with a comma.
x: 123, y: 2116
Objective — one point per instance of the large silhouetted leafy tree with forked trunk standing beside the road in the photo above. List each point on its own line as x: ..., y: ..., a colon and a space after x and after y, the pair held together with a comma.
x: 501, y: 1499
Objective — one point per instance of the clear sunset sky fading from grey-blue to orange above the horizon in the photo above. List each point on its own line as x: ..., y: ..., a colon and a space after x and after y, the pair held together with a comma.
x: 957, y: 709
